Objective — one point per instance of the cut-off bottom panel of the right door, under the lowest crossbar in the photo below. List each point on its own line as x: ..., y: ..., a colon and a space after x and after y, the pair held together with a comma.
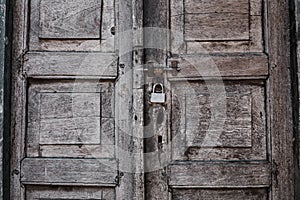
x: 224, y: 194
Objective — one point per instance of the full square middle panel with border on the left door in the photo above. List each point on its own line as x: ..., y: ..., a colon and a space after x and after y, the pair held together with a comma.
x: 70, y: 115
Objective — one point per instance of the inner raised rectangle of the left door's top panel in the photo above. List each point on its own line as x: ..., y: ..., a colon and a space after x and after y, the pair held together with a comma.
x: 70, y: 19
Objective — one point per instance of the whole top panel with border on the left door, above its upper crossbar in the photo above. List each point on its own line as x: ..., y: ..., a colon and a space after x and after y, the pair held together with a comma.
x: 75, y: 25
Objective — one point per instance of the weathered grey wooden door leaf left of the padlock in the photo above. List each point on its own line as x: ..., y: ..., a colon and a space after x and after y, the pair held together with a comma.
x: 70, y: 101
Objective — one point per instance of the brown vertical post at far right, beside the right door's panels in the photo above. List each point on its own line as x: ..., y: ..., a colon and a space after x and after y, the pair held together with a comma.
x: 283, y: 97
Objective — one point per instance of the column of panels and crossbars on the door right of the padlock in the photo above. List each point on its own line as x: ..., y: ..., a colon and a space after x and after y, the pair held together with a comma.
x: 219, y: 140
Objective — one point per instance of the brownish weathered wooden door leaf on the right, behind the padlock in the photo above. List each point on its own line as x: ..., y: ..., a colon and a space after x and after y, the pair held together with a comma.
x: 221, y: 138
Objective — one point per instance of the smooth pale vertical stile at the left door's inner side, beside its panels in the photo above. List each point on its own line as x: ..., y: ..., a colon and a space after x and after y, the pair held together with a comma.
x: 124, y: 101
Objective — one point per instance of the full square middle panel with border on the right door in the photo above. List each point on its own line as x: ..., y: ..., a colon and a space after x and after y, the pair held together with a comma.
x: 196, y: 113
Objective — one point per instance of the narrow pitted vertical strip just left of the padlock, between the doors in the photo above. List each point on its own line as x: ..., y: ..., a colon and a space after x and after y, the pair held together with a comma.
x: 138, y: 97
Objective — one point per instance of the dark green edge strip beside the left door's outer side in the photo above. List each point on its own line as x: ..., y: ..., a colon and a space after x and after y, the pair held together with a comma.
x: 6, y: 49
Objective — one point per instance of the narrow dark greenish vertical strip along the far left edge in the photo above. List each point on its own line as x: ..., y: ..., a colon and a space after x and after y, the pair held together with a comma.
x: 5, y: 72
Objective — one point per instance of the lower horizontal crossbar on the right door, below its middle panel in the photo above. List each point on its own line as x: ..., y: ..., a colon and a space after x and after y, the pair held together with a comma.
x: 218, y: 174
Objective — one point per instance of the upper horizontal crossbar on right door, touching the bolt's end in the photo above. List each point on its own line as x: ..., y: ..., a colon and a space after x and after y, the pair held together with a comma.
x: 221, y: 65
